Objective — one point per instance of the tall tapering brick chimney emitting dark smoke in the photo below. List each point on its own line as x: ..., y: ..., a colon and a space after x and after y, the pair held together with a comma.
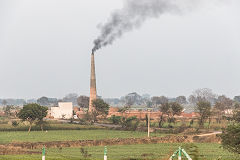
x: 93, y: 89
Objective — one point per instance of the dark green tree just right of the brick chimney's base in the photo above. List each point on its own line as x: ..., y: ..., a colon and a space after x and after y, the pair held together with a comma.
x: 100, y: 108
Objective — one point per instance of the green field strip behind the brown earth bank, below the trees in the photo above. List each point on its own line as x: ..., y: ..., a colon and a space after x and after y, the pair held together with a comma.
x: 64, y: 135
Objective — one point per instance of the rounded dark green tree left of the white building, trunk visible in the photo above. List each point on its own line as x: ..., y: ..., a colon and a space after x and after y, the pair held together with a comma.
x: 31, y: 113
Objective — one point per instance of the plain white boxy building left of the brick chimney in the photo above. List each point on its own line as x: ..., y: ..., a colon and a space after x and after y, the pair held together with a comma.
x: 64, y: 110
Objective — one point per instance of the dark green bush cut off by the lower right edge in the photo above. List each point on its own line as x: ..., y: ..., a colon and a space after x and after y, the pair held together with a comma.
x: 231, y: 138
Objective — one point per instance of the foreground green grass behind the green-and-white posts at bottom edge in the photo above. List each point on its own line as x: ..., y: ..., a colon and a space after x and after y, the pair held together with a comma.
x: 144, y: 151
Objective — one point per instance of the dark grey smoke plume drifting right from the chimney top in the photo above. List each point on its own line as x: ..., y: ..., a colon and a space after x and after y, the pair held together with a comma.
x: 134, y: 13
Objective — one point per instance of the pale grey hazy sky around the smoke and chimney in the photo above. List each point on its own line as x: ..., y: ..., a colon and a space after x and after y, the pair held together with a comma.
x: 45, y: 48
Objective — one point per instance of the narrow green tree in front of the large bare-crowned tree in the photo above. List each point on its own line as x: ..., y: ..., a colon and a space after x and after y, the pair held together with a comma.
x: 204, y: 110
